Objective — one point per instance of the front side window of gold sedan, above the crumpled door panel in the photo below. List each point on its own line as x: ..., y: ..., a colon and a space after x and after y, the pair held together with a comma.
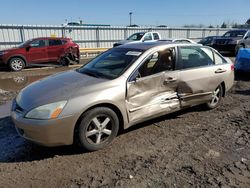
x: 157, y: 62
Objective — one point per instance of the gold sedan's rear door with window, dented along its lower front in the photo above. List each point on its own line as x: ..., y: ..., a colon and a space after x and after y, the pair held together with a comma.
x: 199, y: 75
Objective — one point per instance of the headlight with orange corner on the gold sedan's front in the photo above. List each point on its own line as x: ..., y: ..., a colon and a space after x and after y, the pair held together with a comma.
x: 48, y: 111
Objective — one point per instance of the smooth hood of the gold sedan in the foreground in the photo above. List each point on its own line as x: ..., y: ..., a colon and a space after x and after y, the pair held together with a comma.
x: 56, y: 88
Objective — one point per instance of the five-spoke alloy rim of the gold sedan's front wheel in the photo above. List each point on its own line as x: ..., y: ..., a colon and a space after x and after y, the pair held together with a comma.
x: 99, y: 129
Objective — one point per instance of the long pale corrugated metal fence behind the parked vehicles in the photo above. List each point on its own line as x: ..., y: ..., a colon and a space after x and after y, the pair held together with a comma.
x: 94, y: 37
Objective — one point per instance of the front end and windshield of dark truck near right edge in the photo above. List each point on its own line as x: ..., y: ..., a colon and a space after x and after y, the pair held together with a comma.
x: 229, y: 40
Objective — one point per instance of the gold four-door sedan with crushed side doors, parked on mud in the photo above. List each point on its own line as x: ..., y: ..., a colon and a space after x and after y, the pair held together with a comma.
x: 122, y: 87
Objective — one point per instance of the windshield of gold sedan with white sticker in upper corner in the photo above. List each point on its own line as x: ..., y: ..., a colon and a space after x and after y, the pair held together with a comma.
x: 110, y: 64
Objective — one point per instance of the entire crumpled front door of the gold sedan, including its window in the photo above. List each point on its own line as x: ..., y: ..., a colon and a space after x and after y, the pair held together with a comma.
x: 151, y: 90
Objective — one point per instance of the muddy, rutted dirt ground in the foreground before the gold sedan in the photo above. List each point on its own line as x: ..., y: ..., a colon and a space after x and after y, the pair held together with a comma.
x: 191, y: 148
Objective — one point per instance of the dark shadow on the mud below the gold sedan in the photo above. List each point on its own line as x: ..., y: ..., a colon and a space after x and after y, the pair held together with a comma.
x: 14, y: 148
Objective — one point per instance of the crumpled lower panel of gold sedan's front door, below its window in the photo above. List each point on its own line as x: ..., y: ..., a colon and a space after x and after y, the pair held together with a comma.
x: 151, y: 96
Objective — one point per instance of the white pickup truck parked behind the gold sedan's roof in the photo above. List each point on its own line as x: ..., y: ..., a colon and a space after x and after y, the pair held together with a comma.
x: 140, y: 37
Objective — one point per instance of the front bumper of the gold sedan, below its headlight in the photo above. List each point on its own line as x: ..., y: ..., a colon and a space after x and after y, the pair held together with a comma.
x: 56, y: 132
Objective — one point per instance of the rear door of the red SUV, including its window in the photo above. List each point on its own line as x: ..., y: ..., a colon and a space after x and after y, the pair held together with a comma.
x: 55, y: 49
